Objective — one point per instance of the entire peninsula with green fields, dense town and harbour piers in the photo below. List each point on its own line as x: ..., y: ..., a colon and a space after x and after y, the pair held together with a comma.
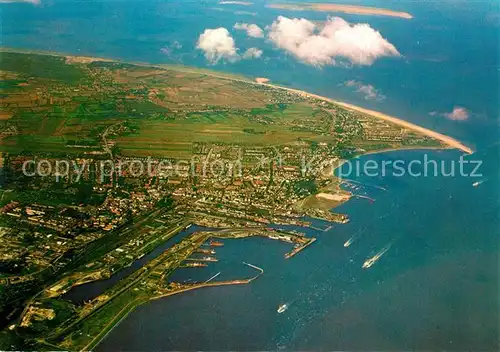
x: 114, y: 175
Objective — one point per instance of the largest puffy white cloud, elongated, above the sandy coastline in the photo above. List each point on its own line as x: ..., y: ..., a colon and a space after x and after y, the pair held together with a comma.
x: 323, y: 45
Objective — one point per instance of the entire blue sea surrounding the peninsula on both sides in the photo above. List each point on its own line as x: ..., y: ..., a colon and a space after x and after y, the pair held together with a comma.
x: 437, y: 286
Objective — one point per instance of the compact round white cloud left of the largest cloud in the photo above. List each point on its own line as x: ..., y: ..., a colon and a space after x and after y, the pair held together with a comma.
x: 217, y: 44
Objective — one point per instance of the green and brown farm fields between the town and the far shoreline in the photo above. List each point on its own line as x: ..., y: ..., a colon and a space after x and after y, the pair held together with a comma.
x: 54, y: 103
